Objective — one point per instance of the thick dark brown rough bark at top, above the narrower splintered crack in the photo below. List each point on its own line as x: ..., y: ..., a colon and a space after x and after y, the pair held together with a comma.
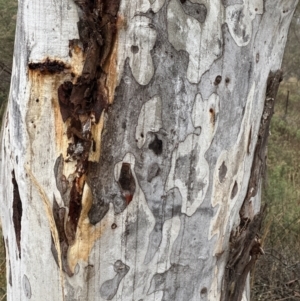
x: 97, y: 30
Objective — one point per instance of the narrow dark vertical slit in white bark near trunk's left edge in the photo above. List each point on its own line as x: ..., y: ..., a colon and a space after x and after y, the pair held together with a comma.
x: 17, y: 211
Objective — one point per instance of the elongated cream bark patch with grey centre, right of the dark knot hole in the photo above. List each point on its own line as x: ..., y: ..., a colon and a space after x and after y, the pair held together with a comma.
x: 189, y: 169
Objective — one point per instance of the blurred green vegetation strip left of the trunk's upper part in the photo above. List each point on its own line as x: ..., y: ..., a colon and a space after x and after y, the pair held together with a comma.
x: 8, y: 12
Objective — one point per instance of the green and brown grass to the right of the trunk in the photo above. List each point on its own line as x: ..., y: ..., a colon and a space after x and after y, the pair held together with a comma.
x: 276, y: 274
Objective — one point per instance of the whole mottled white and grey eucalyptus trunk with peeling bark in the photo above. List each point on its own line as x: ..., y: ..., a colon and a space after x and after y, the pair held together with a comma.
x: 133, y: 147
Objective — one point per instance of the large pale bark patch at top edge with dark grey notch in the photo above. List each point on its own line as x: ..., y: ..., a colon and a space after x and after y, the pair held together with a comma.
x: 185, y: 32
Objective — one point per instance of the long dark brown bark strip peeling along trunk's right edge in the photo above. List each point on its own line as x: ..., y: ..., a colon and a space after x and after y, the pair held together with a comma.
x: 245, y: 244
